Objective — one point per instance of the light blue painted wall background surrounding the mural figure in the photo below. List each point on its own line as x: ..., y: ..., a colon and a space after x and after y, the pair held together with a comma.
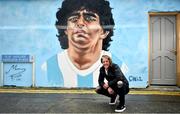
x: 27, y: 27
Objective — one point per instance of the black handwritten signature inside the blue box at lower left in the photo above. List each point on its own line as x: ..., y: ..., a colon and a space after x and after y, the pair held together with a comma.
x: 15, y: 73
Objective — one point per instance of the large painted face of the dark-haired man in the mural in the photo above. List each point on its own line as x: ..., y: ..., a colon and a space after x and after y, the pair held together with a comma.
x: 84, y: 30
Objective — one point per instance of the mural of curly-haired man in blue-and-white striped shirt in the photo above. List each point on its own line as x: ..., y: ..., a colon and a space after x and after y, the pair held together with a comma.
x: 85, y: 28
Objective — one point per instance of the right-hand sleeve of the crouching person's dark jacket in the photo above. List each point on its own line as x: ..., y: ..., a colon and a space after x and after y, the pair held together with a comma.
x: 118, y: 74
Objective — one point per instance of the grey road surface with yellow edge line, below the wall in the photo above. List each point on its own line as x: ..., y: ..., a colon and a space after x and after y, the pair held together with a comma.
x: 43, y: 100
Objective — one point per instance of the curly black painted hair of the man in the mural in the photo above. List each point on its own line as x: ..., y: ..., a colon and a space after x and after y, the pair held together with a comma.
x: 101, y: 7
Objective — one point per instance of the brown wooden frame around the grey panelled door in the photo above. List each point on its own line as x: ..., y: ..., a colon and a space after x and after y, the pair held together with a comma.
x: 177, y: 14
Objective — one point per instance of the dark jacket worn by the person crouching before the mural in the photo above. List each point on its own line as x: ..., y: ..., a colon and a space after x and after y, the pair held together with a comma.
x: 114, y: 75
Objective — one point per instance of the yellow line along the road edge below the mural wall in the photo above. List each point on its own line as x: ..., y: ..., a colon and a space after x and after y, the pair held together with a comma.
x: 91, y: 91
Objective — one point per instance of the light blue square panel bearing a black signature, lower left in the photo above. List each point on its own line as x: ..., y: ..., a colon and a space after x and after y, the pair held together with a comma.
x: 18, y: 74
